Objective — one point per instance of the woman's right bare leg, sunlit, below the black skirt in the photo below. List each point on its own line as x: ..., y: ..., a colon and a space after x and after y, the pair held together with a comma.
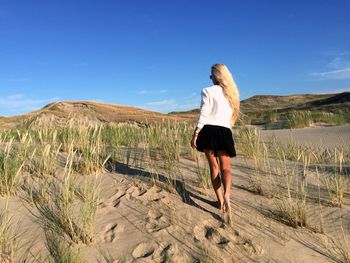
x: 225, y: 168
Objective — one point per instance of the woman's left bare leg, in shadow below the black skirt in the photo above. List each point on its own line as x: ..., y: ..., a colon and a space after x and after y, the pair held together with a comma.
x: 215, y: 177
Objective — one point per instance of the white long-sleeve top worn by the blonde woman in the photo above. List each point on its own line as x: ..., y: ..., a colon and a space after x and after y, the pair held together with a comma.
x: 215, y: 108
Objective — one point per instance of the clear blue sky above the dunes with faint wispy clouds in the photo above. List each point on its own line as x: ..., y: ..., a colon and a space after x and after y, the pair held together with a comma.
x: 156, y: 54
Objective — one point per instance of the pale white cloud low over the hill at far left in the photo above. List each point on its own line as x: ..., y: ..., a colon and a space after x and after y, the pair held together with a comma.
x: 19, y: 103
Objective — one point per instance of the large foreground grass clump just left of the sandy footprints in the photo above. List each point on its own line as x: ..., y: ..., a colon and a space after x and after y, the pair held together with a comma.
x: 56, y: 209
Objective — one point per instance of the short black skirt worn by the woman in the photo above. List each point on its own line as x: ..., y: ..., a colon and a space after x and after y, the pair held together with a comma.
x: 216, y: 138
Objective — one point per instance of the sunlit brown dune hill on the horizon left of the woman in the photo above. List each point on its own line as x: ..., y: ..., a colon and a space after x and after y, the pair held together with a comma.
x: 86, y: 112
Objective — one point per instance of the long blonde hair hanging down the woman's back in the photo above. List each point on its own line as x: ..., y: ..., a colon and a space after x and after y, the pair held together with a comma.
x: 222, y: 76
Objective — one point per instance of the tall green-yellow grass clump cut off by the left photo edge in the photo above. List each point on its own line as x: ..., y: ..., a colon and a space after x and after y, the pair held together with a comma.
x: 10, y: 170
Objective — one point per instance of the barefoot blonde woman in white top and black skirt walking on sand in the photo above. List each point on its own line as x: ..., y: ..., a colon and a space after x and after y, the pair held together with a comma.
x: 219, y: 111
